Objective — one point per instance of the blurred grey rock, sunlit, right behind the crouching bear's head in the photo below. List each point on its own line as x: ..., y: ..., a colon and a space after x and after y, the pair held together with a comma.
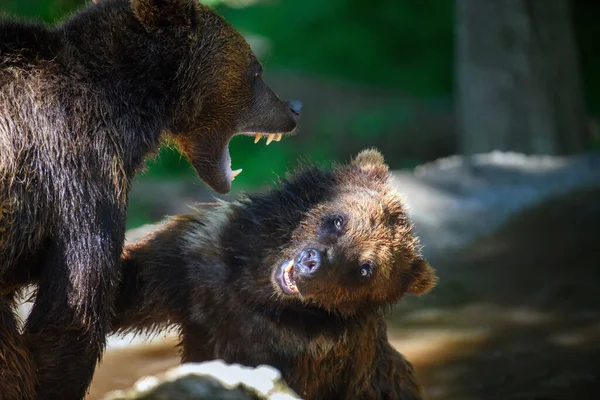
x: 455, y: 200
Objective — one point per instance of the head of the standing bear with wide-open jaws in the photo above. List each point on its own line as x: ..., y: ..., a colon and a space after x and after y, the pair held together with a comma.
x: 214, y: 80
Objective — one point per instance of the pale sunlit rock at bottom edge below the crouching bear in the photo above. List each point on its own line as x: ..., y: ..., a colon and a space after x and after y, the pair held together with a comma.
x: 209, y: 380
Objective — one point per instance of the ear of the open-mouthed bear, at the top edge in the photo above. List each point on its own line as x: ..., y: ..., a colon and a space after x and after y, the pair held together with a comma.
x: 154, y: 14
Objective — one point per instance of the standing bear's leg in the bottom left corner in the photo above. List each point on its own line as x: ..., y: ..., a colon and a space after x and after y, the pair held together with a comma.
x: 17, y: 370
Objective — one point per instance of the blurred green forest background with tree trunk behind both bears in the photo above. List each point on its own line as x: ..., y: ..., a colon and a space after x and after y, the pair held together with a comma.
x: 404, y: 76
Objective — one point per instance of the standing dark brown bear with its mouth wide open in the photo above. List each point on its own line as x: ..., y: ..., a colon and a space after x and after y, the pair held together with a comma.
x: 81, y: 105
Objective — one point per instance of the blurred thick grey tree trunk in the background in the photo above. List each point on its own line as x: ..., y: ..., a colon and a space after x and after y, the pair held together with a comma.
x: 518, y: 85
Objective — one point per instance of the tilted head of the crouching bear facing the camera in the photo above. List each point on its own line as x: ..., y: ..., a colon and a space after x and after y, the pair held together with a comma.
x: 338, y: 240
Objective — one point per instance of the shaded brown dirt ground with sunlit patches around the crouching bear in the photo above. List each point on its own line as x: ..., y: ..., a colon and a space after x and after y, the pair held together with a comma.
x: 516, y: 315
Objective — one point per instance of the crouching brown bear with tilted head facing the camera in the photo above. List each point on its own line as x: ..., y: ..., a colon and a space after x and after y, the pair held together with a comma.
x: 298, y: 277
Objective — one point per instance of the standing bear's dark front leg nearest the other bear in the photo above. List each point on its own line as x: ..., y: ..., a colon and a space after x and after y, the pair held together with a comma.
x: 68, y: 324
